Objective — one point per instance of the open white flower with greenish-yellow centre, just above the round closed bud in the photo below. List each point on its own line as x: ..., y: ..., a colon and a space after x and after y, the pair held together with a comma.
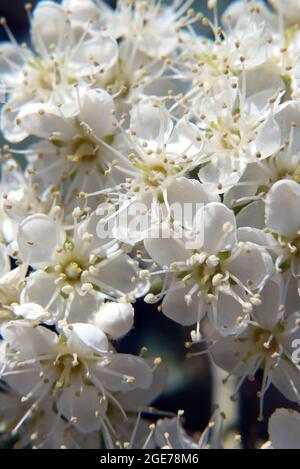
x: 76, y: 270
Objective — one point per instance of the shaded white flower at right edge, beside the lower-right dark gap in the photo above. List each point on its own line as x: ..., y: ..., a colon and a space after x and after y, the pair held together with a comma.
x: 266, y: 343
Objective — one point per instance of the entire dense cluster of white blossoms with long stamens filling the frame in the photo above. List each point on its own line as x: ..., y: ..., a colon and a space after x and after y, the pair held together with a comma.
x: 147, y: 161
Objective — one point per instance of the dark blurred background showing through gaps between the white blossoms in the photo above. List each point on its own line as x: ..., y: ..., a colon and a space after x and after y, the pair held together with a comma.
x: 190, y: 381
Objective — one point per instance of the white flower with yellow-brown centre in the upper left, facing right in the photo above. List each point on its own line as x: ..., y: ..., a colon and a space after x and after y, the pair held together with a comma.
x: 74, y: 152
